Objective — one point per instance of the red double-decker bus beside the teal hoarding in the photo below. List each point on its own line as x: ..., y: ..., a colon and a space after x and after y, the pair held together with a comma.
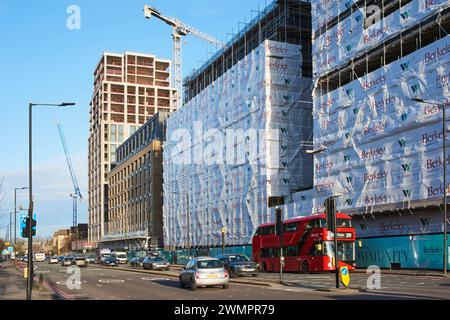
x: 308, y: 246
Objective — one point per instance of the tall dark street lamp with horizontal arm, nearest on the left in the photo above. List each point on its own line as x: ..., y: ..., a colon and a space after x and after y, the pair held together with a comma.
x: 30, y: 188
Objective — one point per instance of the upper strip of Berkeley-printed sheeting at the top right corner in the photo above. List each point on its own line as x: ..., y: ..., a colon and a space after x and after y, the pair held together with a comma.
x: 349, y: 38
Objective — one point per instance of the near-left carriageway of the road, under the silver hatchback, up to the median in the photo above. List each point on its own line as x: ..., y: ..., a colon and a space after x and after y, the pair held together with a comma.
x: 111, y: 284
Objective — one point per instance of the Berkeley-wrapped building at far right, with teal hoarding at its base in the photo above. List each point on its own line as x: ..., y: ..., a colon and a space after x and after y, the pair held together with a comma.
x: 381, y: 71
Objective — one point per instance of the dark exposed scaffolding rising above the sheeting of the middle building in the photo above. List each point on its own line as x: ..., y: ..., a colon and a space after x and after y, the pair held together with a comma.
x: 287, y: 21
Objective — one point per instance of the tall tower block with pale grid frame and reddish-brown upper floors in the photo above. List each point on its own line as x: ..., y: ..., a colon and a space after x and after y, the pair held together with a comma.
x: 129, y: 88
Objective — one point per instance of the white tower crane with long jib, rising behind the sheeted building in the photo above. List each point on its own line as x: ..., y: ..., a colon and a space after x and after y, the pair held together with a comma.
x: 180, y: 30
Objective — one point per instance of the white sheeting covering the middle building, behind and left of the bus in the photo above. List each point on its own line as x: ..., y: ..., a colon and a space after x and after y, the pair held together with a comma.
x: 234, y: 145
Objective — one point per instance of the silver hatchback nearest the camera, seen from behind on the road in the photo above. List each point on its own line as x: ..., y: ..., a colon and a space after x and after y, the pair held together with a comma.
x: 204, y: 272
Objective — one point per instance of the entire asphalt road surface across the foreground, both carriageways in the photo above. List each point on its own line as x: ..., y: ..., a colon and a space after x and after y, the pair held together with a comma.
x: 126, y: 283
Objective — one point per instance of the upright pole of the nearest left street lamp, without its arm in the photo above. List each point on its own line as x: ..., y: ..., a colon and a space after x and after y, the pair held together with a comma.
x: 30, y: 208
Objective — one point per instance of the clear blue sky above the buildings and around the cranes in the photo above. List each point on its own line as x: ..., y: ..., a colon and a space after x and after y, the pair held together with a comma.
x: 44, y: 61
